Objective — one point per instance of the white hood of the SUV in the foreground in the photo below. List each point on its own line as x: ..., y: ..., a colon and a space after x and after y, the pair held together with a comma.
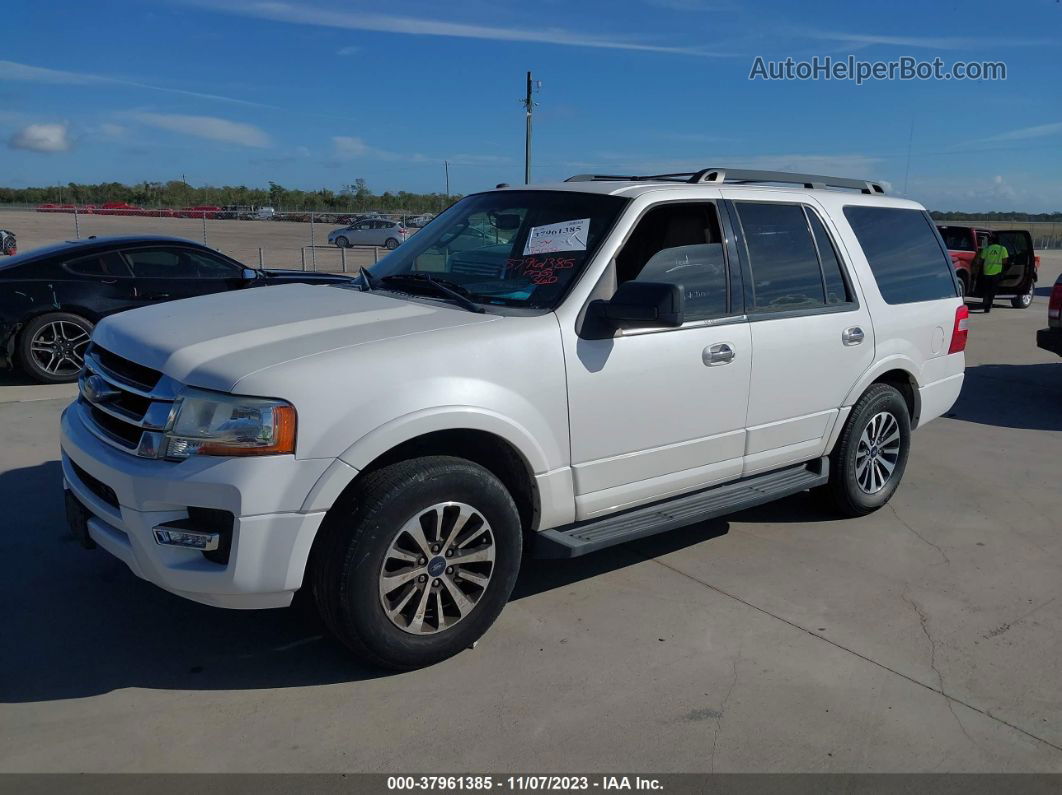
x: 214, y: 341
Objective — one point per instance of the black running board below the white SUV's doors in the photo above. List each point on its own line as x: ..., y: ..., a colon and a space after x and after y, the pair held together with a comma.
x: 646, y: 521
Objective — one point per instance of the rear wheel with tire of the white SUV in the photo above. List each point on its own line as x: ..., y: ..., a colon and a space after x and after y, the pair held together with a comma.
x: 870, y: 458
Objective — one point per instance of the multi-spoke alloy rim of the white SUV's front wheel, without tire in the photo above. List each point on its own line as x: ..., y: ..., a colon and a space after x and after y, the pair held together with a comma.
x: 437, y: 568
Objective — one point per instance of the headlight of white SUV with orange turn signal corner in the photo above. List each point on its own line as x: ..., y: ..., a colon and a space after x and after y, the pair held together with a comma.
x: 213, y: 424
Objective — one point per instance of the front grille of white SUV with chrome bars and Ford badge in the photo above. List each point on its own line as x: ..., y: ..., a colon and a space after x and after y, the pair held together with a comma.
x: 125, y: 404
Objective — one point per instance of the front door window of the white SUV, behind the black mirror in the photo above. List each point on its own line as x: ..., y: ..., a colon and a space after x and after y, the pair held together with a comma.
x: 680, y: 245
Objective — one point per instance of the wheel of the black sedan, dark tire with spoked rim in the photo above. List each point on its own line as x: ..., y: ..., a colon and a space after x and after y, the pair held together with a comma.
x: 52, y: 348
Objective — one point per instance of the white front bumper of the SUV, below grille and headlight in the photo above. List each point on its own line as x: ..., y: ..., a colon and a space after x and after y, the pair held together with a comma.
x: 271, y: 534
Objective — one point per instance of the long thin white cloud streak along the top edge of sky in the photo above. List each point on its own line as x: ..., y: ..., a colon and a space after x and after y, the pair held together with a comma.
x: 328, y: 18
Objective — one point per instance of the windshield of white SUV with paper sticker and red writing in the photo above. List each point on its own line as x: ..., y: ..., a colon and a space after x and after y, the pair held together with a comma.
x: 520, y: 249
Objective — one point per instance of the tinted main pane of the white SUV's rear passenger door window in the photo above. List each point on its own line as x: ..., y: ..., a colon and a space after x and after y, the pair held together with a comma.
x: 785, y: 266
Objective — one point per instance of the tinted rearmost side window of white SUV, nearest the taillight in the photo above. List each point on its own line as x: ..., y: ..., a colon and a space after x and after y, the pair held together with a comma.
x: 904, y: 254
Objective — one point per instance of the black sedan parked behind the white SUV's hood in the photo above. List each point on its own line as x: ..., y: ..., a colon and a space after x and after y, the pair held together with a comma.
x: 52, y: 298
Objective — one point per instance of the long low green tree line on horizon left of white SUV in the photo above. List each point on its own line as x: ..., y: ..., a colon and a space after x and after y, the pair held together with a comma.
x: 354, y: 198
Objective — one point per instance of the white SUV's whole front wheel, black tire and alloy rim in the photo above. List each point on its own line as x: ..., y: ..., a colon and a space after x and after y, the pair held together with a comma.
x: 418, y: 563
